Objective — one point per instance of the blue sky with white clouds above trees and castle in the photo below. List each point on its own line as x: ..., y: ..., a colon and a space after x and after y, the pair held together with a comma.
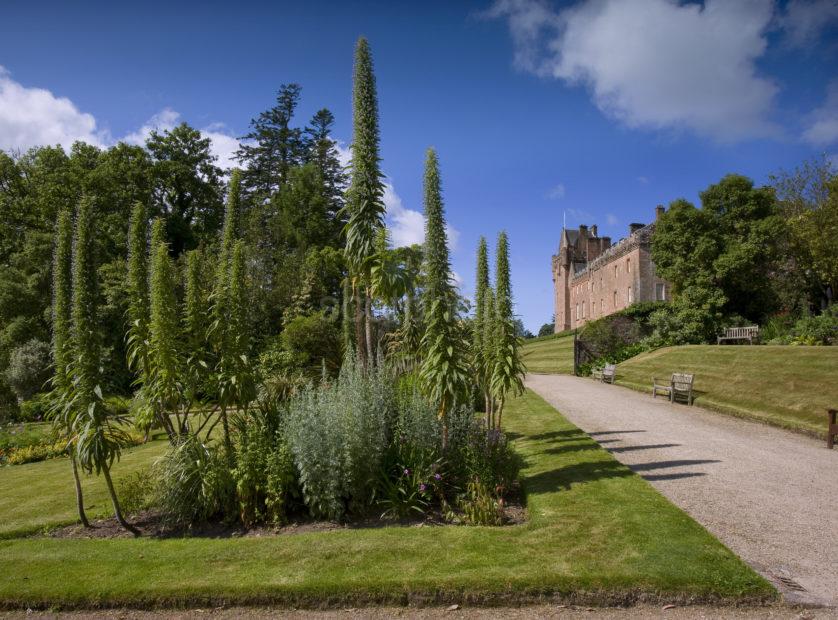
x: 591, y: 110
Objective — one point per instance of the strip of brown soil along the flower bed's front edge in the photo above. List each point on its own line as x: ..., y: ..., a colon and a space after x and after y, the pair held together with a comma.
x: 150, y: 524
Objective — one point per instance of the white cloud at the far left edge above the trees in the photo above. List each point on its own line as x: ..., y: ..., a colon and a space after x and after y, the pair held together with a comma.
x: 36, y: 117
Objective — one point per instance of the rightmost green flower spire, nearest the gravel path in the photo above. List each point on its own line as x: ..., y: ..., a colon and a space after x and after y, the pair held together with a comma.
x: 509, y: 370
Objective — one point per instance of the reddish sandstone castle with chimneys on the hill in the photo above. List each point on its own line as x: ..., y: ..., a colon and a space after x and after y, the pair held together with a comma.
x: 592, y: 278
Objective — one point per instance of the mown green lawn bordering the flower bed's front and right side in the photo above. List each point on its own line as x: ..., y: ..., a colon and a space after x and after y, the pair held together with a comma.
x: 596, y: 532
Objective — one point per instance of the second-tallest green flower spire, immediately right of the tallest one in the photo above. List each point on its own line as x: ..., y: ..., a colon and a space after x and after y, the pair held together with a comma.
x: 444, y: 370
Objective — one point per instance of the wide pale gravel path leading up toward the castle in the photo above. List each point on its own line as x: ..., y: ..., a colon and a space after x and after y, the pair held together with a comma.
x: 768, y: 494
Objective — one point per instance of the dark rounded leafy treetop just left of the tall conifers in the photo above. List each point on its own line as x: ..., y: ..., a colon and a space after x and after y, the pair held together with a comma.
x: 187, y: 189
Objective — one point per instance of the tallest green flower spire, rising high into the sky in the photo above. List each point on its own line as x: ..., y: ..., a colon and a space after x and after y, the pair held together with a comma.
x: 365, y: 197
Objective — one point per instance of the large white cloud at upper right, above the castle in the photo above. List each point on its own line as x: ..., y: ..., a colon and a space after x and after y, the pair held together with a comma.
x: 655, y: 64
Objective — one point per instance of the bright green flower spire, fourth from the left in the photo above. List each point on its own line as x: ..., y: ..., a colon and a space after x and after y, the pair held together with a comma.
x: 165, y: 388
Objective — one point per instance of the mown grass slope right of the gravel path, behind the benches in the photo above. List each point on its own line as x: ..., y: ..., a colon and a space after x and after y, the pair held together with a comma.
x: 782, y: 385
